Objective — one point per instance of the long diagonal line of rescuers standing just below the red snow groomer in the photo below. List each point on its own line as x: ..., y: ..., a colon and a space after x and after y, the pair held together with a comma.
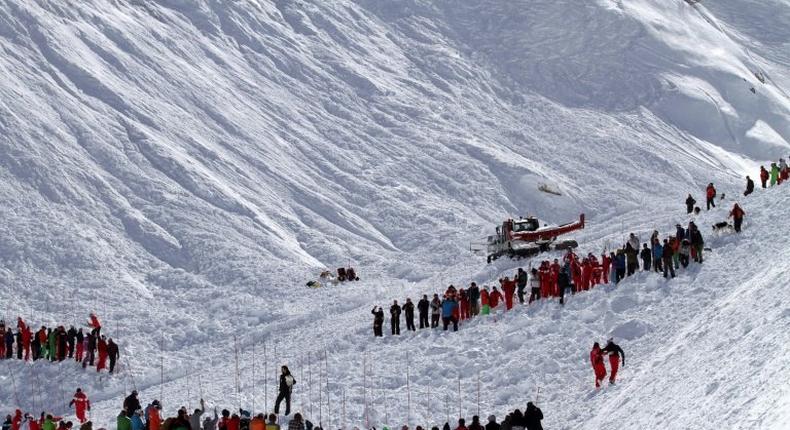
x: 550, y: 280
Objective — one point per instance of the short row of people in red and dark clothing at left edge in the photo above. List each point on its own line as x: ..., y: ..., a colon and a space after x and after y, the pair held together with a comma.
x: 59, y: 344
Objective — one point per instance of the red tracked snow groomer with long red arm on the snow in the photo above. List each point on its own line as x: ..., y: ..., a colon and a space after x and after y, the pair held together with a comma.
x: 525, y: 237
